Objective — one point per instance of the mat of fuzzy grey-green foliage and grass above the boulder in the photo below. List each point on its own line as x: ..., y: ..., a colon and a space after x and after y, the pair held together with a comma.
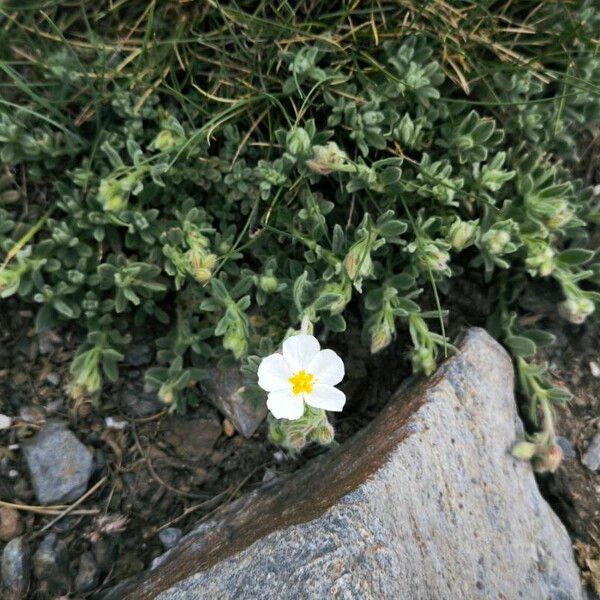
x: 213, y: 177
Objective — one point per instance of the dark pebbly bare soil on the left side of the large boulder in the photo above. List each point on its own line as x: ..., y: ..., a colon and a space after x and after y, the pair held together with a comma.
x: 152, y: 472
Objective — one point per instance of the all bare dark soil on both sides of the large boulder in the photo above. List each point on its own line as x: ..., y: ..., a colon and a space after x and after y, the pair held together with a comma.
x: 158, y: 471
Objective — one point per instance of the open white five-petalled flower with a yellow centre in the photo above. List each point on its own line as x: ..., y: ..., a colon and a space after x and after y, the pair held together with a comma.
x: 303, y: 373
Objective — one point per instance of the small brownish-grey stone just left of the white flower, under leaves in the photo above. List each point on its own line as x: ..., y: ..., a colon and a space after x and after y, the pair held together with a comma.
x: 225, y: 389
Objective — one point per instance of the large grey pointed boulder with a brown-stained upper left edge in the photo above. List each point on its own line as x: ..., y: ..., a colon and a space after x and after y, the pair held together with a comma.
x: 426, y: 502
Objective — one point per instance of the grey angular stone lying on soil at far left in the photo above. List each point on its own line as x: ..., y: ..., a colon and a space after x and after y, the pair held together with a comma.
x: 59, y: 464
